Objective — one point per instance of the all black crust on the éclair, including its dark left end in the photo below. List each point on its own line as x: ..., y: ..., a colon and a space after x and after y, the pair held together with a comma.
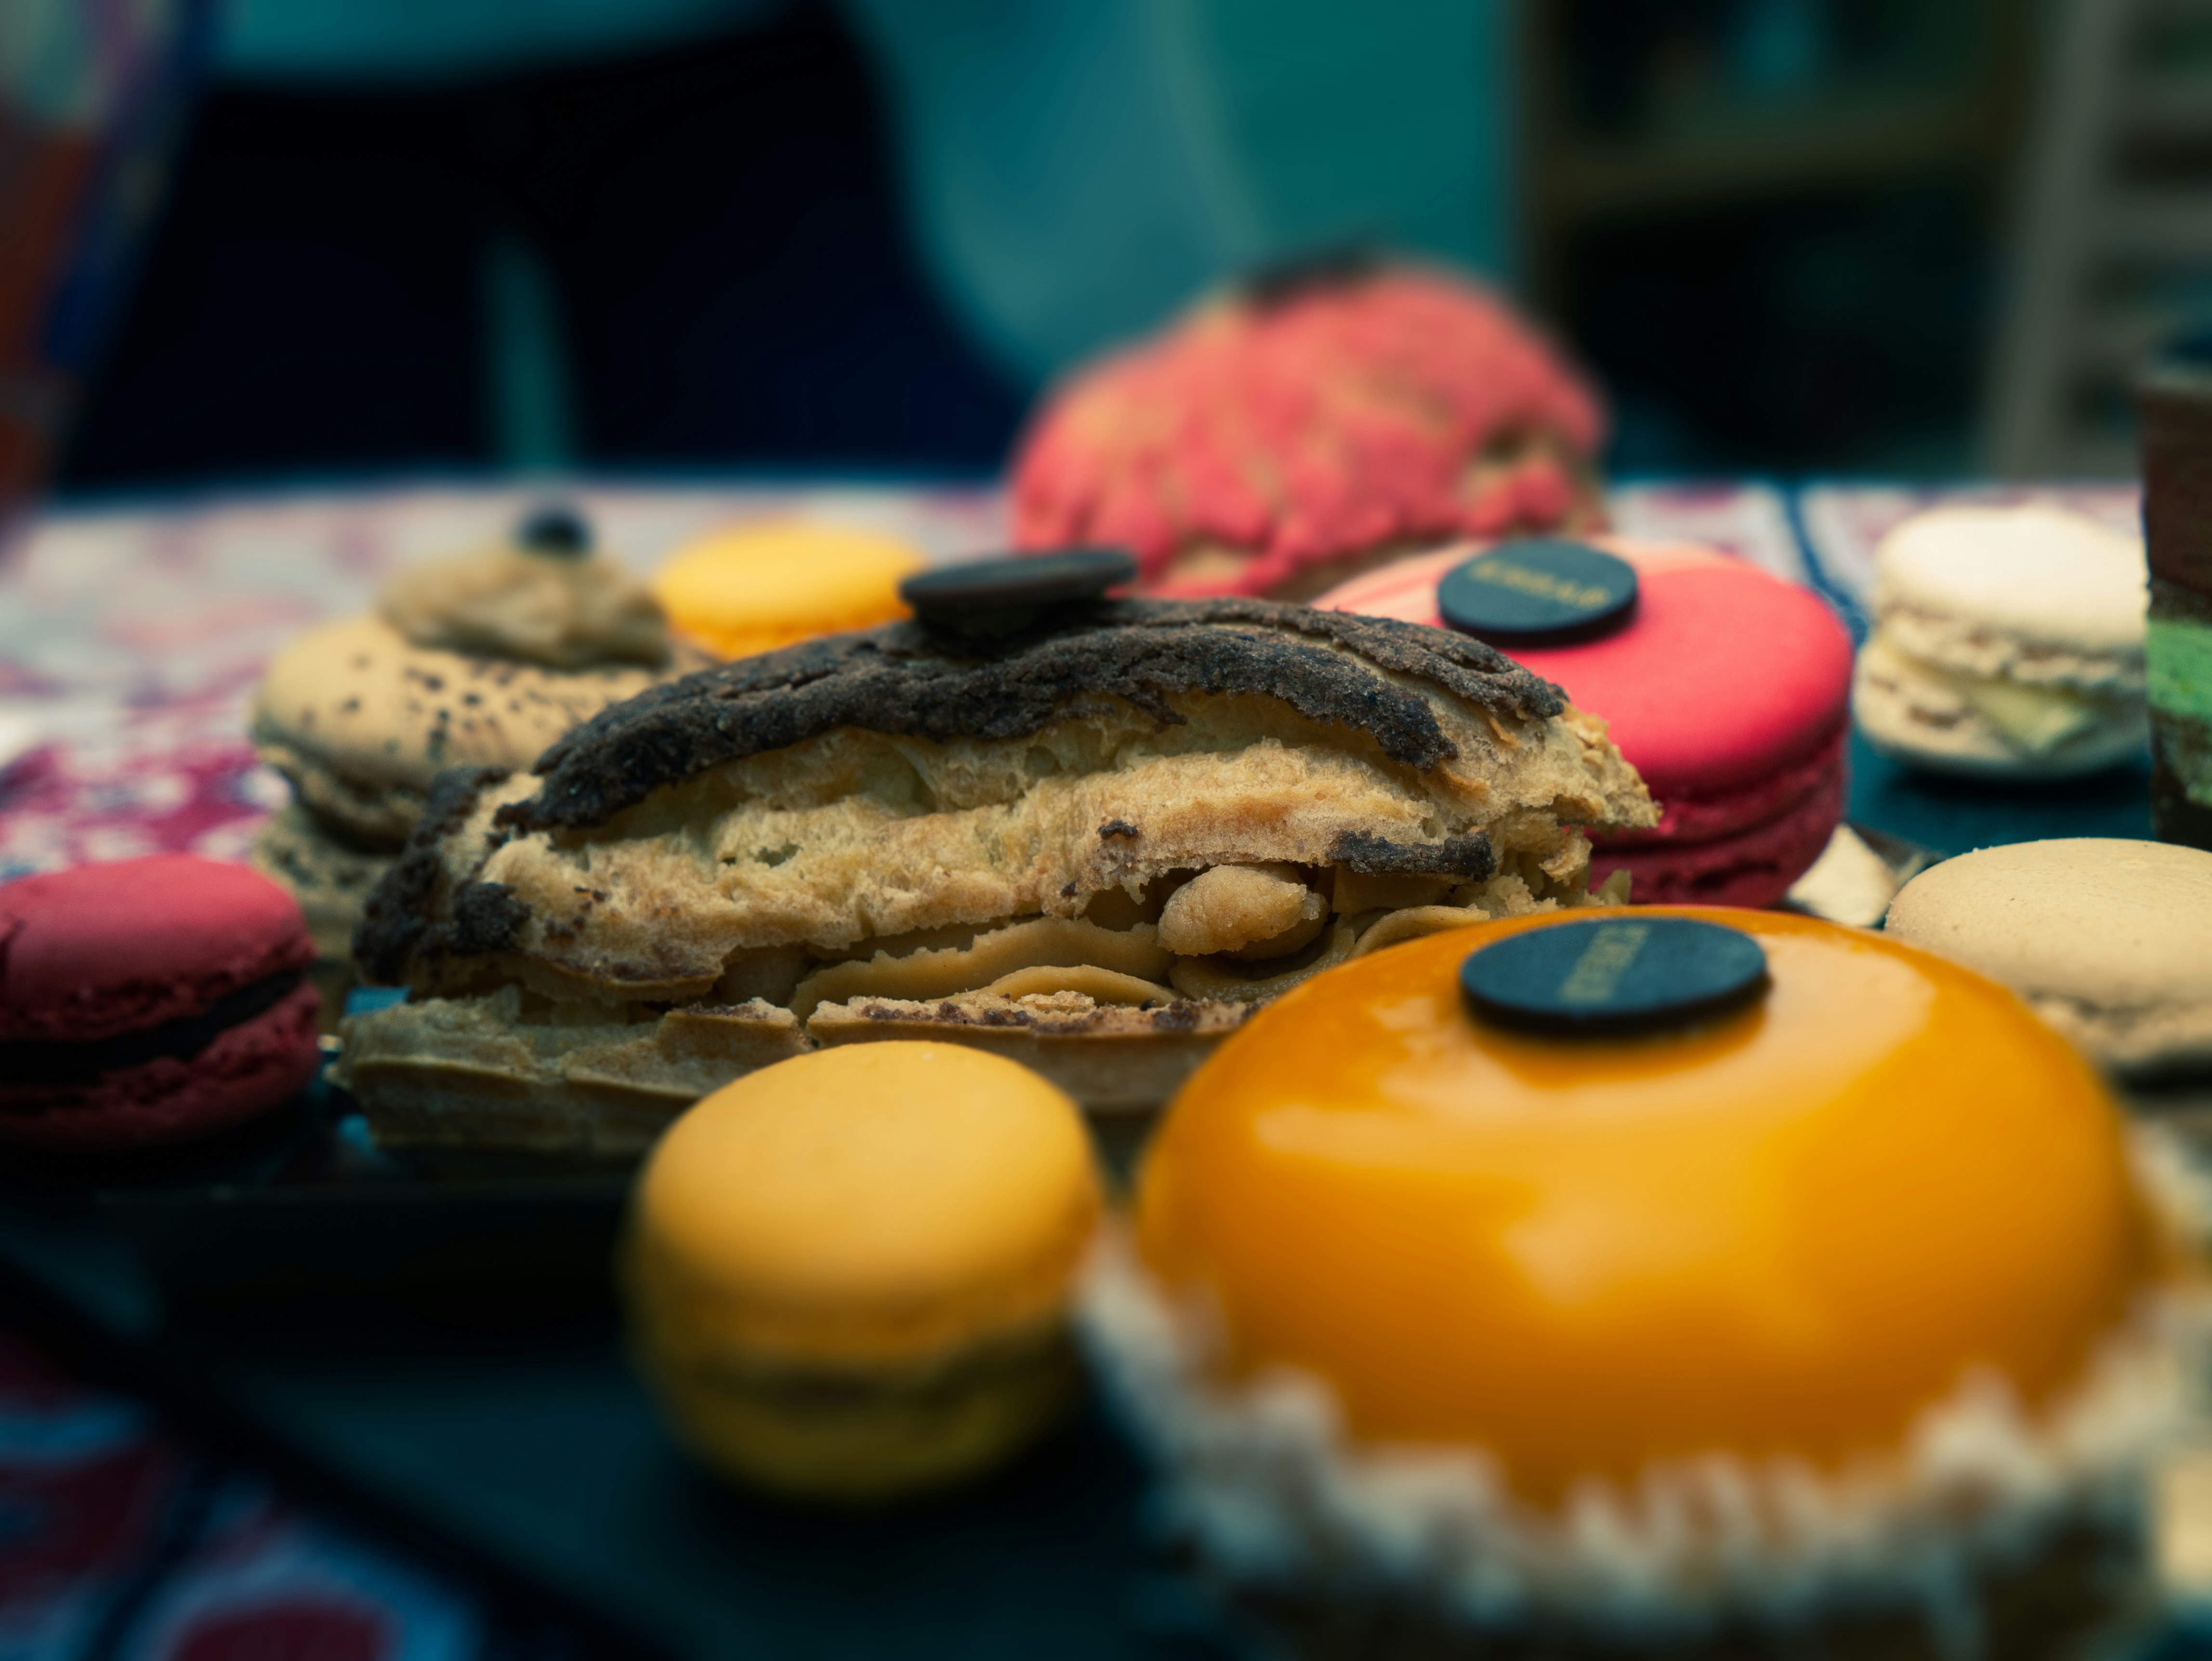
x: 919, y: 682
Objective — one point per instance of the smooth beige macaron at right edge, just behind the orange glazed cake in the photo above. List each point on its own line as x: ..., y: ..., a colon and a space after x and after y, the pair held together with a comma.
x: 2109, y: 939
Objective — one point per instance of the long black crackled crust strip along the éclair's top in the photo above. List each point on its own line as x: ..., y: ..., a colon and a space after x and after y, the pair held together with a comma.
x: 917, y: 682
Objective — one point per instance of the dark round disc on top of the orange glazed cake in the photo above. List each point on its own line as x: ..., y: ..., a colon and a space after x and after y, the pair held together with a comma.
x: 1618, y: 974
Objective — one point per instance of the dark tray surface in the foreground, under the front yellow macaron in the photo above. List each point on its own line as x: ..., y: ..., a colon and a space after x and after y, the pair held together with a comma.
x: 528, y: 1450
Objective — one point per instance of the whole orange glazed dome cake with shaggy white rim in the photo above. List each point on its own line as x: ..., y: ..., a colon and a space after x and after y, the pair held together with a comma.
x: 1824, y: 1310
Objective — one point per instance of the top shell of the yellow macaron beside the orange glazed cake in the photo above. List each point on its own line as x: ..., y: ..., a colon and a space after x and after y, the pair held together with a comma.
x: 873, y: 1204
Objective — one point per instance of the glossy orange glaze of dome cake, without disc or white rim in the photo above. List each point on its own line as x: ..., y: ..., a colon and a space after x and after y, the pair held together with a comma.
x: 1784, y: 1233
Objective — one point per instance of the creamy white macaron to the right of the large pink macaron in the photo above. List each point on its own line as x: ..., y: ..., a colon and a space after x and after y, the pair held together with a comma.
x: 2007, y: 643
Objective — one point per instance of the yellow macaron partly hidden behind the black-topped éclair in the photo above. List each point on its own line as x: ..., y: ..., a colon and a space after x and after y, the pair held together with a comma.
x: 769, y: 585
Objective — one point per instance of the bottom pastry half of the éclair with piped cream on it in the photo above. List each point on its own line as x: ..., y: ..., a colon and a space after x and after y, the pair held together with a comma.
x: 517, y: 1069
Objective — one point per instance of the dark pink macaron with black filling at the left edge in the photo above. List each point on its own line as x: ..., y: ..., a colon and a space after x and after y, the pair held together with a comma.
x: 152, y: 1001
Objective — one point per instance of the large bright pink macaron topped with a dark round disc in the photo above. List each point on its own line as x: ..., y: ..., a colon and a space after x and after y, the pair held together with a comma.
x: 1724, y: 687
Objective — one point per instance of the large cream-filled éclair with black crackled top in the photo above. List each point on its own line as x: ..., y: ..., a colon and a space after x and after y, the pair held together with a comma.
x: 1092, y: 846
